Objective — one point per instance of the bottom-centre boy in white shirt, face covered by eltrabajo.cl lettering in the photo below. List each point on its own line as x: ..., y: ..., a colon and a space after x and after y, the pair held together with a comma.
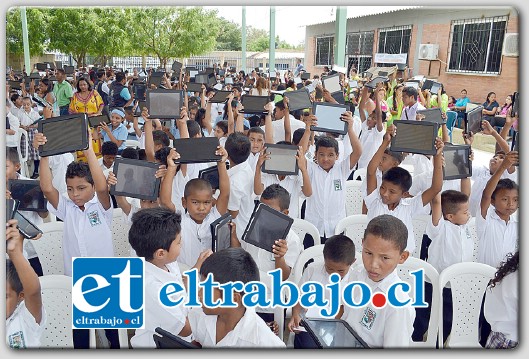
x: 238, y: 327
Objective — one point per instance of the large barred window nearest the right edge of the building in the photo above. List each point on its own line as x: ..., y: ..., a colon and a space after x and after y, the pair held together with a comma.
x: 476, y: 45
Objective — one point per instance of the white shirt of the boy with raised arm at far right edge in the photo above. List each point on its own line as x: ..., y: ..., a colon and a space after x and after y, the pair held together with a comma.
x: 496, y: 238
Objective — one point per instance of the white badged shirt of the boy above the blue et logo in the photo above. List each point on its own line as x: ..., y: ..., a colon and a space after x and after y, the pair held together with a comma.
x: 86, y: 233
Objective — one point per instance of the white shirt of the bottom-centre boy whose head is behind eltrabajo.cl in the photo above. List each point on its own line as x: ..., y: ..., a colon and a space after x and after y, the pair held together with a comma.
x: 250, y: 332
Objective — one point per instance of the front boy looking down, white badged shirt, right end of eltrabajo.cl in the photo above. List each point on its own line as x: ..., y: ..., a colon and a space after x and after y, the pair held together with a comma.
x: 383, y: 248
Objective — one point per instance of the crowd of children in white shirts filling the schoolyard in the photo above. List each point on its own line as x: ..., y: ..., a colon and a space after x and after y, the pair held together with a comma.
x: 173, y: 231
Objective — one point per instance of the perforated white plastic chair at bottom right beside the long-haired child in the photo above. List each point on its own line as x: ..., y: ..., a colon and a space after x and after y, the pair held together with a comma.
x: 468, y: 282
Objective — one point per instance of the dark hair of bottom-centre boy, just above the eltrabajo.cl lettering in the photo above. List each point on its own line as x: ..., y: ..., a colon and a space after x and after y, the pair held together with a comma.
x: 231, y: 265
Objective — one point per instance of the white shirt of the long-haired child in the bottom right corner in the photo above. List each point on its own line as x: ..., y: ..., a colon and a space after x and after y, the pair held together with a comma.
x: 501, y: 306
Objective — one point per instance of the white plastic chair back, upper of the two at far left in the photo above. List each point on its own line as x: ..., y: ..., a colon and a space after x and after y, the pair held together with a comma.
x: 49, y: 248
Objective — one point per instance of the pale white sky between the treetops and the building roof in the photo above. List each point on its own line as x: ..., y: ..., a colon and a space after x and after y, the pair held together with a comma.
x: 291, y: 20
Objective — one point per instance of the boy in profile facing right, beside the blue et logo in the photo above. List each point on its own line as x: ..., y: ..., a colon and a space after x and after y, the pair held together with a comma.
x: 155, y: 234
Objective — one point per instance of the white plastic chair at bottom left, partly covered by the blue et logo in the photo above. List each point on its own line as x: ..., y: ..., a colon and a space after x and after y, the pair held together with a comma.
x: 57, y: 301
